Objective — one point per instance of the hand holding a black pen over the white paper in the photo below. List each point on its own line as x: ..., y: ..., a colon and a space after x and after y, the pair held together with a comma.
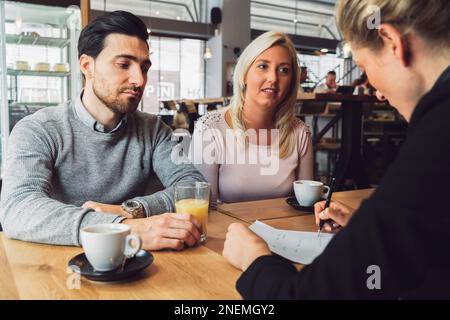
x: 337, y: 211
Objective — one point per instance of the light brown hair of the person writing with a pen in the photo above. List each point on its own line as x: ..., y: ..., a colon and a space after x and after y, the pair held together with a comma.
x: 429, y: 19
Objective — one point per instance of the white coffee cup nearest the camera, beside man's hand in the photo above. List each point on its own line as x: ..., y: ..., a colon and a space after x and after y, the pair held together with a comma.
x: 106, y: 245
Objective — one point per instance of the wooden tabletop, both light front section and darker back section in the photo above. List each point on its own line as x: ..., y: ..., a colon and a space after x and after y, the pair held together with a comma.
x: 39, y: 271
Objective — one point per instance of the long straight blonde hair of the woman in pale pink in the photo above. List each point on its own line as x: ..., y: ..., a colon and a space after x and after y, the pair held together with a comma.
x: 284, y: 116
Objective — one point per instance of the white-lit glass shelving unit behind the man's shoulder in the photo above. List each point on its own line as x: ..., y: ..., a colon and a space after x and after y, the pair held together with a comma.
x: 36, y: 34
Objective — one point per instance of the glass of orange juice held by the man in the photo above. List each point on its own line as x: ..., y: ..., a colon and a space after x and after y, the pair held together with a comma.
x: 193, y: 198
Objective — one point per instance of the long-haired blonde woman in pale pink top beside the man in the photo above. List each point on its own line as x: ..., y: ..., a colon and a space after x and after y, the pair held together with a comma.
x: 257, y: 147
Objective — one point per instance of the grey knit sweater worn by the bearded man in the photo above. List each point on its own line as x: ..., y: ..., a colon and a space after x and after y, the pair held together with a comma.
x: 55, y: 163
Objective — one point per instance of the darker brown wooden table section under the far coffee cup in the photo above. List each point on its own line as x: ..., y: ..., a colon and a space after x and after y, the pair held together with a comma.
x: 278, y: 208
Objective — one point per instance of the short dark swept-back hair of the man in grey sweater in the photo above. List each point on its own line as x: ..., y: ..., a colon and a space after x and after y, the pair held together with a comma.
x: 92, y: 37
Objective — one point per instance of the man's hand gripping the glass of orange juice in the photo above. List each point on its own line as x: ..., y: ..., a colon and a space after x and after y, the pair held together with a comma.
x: 166, y: 231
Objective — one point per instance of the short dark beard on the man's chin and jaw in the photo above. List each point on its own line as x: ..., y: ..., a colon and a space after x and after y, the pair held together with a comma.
x: 113, y: 101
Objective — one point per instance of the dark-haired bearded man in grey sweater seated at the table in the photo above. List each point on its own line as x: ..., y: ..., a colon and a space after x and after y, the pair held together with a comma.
x: 74, y: 166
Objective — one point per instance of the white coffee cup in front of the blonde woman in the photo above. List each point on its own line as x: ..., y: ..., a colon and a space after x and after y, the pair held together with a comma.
x: 309, y: 192
